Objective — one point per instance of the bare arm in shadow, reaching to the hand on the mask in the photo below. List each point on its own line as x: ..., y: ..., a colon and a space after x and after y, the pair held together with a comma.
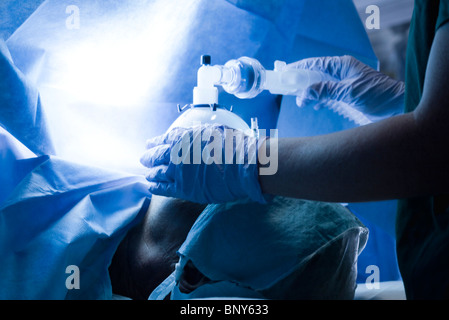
x: 404, y: 156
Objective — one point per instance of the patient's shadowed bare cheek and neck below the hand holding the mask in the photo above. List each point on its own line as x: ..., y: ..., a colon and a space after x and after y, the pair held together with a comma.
x: 147, y: 255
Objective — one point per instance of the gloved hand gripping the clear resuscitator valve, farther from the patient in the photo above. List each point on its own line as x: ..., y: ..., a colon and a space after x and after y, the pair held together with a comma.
x: 374, y: 94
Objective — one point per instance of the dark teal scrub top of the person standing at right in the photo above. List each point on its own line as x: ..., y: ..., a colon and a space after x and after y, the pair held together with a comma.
x: 422, y: 226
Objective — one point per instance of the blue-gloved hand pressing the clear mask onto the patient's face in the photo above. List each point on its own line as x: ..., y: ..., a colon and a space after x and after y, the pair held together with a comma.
x: 181, y: 165
